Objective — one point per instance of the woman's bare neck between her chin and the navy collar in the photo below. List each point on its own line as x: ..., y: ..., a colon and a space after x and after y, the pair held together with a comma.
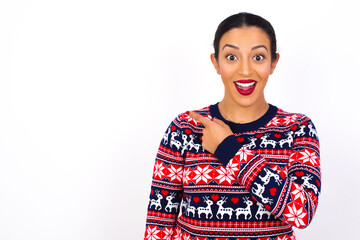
x: 236, y: 113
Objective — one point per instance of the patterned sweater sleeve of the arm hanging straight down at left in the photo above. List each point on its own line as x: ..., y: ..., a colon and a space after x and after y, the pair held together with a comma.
x: 166, y: 187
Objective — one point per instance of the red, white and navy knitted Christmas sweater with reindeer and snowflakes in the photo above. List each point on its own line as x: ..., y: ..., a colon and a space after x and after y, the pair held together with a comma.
x: 260, y: 182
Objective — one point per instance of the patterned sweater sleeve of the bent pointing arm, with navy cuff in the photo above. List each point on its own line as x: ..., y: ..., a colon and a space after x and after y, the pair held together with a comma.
x: 290, y: 193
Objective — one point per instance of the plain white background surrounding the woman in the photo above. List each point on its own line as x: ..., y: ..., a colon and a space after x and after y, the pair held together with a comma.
x: 87, y: 89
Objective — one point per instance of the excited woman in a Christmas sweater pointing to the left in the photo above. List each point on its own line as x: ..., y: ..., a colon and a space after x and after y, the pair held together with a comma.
x: 242, y: 168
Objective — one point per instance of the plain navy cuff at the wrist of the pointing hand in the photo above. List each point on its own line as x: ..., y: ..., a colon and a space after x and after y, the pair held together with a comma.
x: 227, y: 149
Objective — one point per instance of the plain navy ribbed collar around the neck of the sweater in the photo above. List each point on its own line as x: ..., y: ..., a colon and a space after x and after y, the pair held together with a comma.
x: 245, y: 127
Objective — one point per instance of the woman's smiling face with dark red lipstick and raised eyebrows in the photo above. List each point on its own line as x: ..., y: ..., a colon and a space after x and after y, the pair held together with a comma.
x: 244, y: 63
